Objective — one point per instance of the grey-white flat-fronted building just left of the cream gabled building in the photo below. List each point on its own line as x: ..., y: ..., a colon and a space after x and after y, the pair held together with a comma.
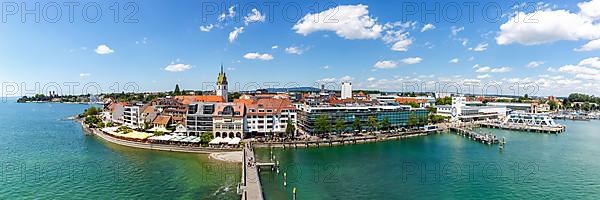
x: 199, y: 118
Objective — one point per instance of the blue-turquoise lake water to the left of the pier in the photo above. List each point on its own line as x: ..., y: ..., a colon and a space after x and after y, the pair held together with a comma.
x: 45, y: 156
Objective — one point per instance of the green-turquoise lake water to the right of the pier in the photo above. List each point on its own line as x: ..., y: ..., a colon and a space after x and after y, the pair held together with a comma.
x: 445, y: 166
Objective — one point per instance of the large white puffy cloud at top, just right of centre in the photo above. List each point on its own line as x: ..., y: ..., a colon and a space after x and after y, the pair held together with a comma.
x: 347, y: 21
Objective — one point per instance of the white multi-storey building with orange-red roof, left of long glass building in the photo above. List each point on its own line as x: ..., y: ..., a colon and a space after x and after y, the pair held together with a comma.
x: 268, y: 114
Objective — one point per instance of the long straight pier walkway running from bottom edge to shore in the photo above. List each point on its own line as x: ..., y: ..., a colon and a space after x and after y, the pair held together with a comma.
x: 251, y: 187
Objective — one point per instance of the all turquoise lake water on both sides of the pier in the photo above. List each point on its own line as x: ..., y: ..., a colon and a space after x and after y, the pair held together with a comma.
x: 45, y: 156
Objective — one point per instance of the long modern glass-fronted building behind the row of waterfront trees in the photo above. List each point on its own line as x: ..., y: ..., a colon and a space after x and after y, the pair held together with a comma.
x: 398, y: 116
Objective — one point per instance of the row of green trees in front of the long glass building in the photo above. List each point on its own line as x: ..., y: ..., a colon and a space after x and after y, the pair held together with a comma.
x: 323, y: 125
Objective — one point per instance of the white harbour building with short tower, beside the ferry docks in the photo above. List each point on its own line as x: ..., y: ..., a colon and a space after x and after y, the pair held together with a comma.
x: 462, y: 110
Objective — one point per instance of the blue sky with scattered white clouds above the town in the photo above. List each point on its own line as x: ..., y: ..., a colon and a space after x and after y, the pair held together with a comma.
x: 374, y: 44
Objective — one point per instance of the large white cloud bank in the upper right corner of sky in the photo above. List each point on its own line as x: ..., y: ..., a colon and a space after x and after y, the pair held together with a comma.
x: 546, y: 26
